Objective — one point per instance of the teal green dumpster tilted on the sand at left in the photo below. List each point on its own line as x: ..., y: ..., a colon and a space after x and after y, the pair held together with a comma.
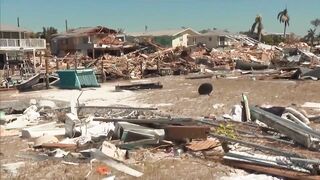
x: 77, y: 79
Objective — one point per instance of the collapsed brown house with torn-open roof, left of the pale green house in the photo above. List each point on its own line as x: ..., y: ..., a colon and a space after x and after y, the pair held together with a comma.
x: 89, y: 41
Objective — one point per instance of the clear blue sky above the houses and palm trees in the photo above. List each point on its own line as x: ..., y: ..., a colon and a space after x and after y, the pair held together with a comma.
x: 133, y: 15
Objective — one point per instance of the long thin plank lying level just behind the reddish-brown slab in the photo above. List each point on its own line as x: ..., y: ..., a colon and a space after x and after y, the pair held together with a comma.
x: 144, y: 121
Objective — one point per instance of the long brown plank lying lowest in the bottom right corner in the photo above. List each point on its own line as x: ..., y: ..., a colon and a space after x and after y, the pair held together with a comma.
x: 271, y: 170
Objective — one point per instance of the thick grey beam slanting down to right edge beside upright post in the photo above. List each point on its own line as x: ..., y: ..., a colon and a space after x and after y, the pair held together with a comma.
x: 296, y: 132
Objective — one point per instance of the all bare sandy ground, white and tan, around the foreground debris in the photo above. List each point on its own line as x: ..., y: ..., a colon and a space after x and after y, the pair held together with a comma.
x: 178, y: 97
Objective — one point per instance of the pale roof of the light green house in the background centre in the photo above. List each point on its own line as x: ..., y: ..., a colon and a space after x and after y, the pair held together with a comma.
x: 167, y: 32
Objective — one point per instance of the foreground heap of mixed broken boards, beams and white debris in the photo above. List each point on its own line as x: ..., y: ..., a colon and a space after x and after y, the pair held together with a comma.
x: 113, y: 136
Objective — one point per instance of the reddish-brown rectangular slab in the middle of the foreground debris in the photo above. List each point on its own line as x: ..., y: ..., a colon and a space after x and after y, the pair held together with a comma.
x: 183, y: 132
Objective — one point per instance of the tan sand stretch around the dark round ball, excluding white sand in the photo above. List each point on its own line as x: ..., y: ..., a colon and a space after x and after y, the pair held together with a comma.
x: 180, y: 96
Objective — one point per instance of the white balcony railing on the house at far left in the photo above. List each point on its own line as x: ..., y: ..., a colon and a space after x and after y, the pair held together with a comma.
x: 12, y: 44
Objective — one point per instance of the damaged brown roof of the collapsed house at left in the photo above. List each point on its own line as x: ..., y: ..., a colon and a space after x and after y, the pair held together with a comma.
x: 84, y: 31
